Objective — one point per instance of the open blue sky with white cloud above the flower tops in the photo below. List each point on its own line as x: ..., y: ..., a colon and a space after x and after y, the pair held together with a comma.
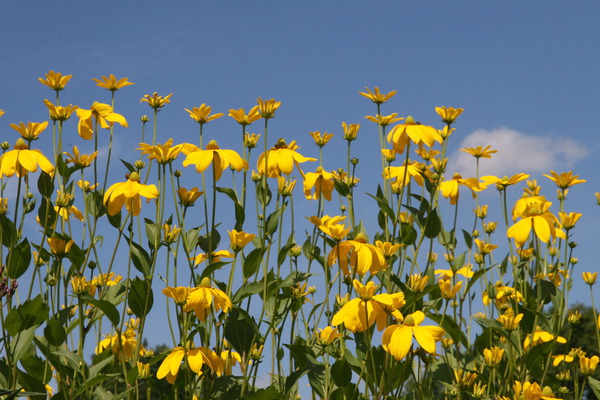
x: 526, y: 74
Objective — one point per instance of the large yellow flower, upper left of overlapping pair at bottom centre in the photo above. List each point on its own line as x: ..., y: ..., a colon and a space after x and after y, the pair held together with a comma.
x: 360, y: 313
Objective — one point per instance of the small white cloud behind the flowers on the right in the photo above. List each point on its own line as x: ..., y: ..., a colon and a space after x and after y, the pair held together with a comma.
x: 517, y: 152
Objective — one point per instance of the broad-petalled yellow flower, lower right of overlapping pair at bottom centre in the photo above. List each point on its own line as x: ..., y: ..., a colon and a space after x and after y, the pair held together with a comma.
x: 397, y: 339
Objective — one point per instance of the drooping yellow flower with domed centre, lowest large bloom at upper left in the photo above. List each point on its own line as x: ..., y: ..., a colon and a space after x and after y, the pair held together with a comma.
x: 128, y: 193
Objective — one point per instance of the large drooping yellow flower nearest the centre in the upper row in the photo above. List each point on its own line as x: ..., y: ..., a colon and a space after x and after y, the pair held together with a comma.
x: 281, y: 159
